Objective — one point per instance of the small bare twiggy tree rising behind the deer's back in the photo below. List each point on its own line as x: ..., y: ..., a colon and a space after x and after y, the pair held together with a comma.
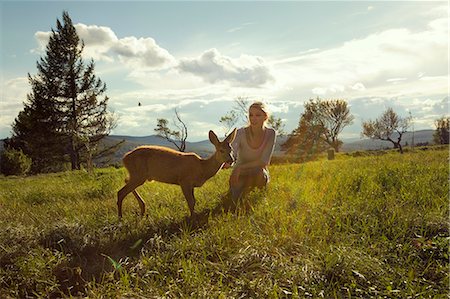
x: 177, y: 138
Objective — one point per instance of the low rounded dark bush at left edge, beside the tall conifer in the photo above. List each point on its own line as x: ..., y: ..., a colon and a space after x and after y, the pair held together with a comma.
x: 14, y: 162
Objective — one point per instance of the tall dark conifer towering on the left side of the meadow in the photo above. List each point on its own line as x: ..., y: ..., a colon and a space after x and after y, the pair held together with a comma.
x: 64, y: 116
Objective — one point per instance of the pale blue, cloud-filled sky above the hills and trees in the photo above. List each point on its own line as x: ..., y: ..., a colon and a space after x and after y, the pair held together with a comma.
x: 198, y: 57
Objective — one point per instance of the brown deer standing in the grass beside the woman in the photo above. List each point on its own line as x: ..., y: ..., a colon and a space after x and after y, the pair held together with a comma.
x: 162, y: 164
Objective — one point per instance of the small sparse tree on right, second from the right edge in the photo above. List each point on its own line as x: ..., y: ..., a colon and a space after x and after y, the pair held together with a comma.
x: 385, y: 126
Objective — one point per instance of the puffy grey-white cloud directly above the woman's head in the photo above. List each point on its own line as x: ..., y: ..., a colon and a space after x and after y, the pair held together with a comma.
x: 213, y: 67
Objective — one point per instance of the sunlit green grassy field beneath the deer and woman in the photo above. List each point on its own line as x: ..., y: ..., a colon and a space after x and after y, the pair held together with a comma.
x: 375, y: 226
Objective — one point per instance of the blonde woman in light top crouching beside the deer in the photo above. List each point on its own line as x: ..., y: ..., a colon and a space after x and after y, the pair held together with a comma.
x: 253, y: 148
